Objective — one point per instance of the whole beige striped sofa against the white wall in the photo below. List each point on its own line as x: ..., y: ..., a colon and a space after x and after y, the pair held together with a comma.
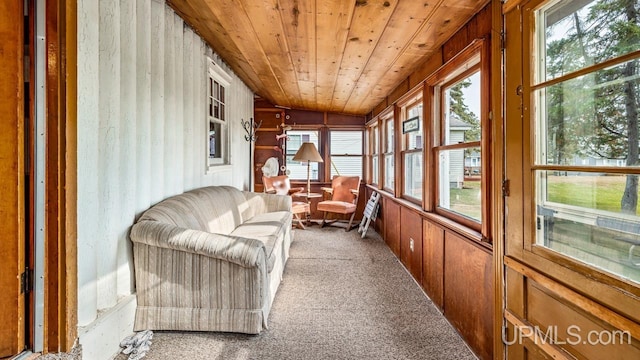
x: 210, y: 259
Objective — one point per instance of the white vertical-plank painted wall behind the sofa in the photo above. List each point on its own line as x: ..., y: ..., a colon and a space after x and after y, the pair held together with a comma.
x: 142, y: 137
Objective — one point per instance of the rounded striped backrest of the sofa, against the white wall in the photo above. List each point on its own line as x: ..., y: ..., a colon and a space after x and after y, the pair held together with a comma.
x: 215, y: 209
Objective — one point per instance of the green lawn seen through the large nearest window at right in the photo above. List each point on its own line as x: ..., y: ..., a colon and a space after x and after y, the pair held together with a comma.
x: 593, y: 192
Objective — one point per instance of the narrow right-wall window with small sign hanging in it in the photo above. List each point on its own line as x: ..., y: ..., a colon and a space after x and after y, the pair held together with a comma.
x: 412, y: 143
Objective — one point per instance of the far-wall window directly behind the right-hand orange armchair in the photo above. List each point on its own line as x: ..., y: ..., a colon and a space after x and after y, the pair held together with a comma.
x: 346, y: 152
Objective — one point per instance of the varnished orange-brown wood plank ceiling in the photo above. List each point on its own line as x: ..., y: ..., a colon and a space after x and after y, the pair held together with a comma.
x: 340, y: 56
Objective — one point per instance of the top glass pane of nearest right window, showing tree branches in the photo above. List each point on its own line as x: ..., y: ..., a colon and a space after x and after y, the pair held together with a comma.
x: 578, y: 34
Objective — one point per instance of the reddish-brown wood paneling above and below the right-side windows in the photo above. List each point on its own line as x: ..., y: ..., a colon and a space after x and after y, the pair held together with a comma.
x: 455, y: 271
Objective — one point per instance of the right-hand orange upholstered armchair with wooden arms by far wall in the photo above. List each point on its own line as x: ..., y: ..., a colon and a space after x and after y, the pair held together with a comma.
x: 342, y: 198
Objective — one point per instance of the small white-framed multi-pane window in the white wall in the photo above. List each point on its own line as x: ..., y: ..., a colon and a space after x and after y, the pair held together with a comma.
x: 218, y: 135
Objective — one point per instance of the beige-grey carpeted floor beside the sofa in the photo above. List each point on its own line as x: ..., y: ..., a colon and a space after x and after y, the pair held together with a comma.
x: 342, y: 297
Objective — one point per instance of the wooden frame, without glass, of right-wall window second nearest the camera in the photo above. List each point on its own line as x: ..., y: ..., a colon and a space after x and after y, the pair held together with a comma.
x: 446, y: 75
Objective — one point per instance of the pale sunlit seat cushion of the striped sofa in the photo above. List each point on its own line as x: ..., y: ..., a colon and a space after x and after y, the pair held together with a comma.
x: 268, y: 228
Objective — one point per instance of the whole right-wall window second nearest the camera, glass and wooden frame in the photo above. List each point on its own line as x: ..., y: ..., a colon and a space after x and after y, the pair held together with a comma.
x: 459, y: 142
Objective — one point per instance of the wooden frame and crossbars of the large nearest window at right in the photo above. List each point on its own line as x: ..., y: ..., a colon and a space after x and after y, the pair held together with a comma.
x: 532, y: 253
